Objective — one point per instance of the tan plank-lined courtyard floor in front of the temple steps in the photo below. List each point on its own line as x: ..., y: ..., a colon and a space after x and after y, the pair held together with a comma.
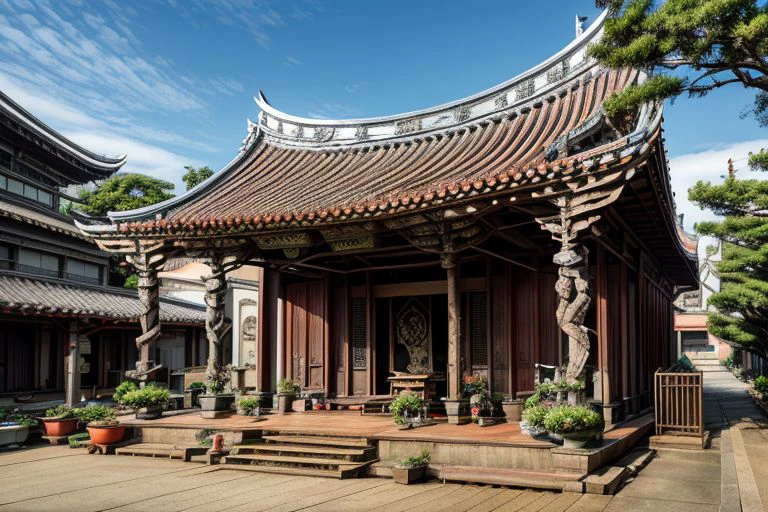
x: 59, y: 478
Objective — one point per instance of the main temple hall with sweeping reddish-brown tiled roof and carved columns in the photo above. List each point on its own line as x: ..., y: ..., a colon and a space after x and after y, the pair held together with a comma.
x: 500, y: 234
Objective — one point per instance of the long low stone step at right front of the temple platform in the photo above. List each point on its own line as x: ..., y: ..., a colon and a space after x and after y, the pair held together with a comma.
x: 545, y: 480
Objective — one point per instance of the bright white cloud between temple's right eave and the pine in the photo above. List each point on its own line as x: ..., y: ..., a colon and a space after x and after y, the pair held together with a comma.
x: 709, y: 165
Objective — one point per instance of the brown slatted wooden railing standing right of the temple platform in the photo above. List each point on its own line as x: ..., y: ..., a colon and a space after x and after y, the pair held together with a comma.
x: 679, y: 403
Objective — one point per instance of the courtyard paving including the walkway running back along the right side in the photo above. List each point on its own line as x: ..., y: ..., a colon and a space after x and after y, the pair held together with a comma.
x: 731, y: 476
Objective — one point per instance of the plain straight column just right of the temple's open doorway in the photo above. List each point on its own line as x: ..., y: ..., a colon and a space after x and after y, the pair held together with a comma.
x: 456, y: 407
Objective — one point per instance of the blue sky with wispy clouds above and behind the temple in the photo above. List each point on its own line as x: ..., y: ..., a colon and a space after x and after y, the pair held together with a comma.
x: 170, y: 82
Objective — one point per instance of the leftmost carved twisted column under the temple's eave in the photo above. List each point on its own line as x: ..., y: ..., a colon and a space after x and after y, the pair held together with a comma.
x: 147, y: 266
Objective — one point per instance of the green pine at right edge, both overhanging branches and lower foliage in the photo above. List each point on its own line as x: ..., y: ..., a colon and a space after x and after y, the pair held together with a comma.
x: 718, y: 43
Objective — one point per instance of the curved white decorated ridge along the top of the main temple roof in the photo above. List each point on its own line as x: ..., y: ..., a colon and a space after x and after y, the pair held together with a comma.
x: 535, y: 83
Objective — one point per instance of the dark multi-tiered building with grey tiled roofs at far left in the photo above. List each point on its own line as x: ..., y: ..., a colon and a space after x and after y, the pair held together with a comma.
x: 55, y: 301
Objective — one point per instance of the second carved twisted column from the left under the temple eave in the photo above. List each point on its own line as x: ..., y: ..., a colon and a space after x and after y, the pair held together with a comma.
x: 215, y: 325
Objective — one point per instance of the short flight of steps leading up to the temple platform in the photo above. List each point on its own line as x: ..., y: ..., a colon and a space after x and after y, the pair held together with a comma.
x: 307, y: 455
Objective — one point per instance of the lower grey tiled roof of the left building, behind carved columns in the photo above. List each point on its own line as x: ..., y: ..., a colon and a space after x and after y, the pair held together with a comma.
x: 32, y: 296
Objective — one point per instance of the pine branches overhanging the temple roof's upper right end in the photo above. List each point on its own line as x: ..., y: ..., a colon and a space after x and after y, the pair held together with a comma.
x: 719, y: 42
